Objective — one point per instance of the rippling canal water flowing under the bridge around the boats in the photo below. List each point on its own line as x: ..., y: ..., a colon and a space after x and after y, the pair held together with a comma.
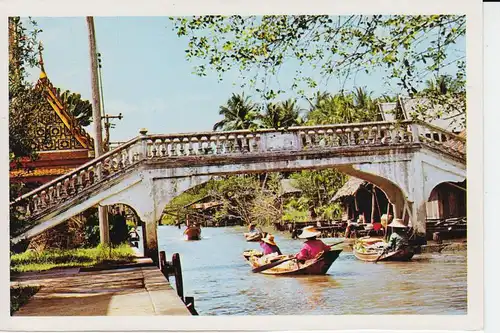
x: 219, y: 278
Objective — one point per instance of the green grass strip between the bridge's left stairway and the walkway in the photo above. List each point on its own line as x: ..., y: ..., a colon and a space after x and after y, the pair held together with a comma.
x: 31, y: 261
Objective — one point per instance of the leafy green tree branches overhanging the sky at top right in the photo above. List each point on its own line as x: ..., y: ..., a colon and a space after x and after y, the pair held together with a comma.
x: 406, y: 47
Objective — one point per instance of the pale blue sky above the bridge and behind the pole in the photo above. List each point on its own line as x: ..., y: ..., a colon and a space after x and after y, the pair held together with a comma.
x: 146, y: 76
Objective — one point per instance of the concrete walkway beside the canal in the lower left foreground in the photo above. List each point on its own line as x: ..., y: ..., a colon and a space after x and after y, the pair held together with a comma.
x: 136, y: 290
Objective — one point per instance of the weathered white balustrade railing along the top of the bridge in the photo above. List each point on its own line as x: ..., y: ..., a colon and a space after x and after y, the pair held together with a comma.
x: 156, y: 147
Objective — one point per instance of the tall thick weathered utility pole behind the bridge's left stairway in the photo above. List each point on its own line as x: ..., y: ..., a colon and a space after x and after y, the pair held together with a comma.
x: 96, y: 113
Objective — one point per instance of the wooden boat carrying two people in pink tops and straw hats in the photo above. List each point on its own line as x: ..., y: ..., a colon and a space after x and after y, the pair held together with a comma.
x: 317, y: 266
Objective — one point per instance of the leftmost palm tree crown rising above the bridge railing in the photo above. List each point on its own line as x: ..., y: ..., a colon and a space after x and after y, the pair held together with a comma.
x: 239, y: 113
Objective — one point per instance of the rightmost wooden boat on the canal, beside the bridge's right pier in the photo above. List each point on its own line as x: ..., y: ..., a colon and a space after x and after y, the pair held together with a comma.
x: 363, y: 251
